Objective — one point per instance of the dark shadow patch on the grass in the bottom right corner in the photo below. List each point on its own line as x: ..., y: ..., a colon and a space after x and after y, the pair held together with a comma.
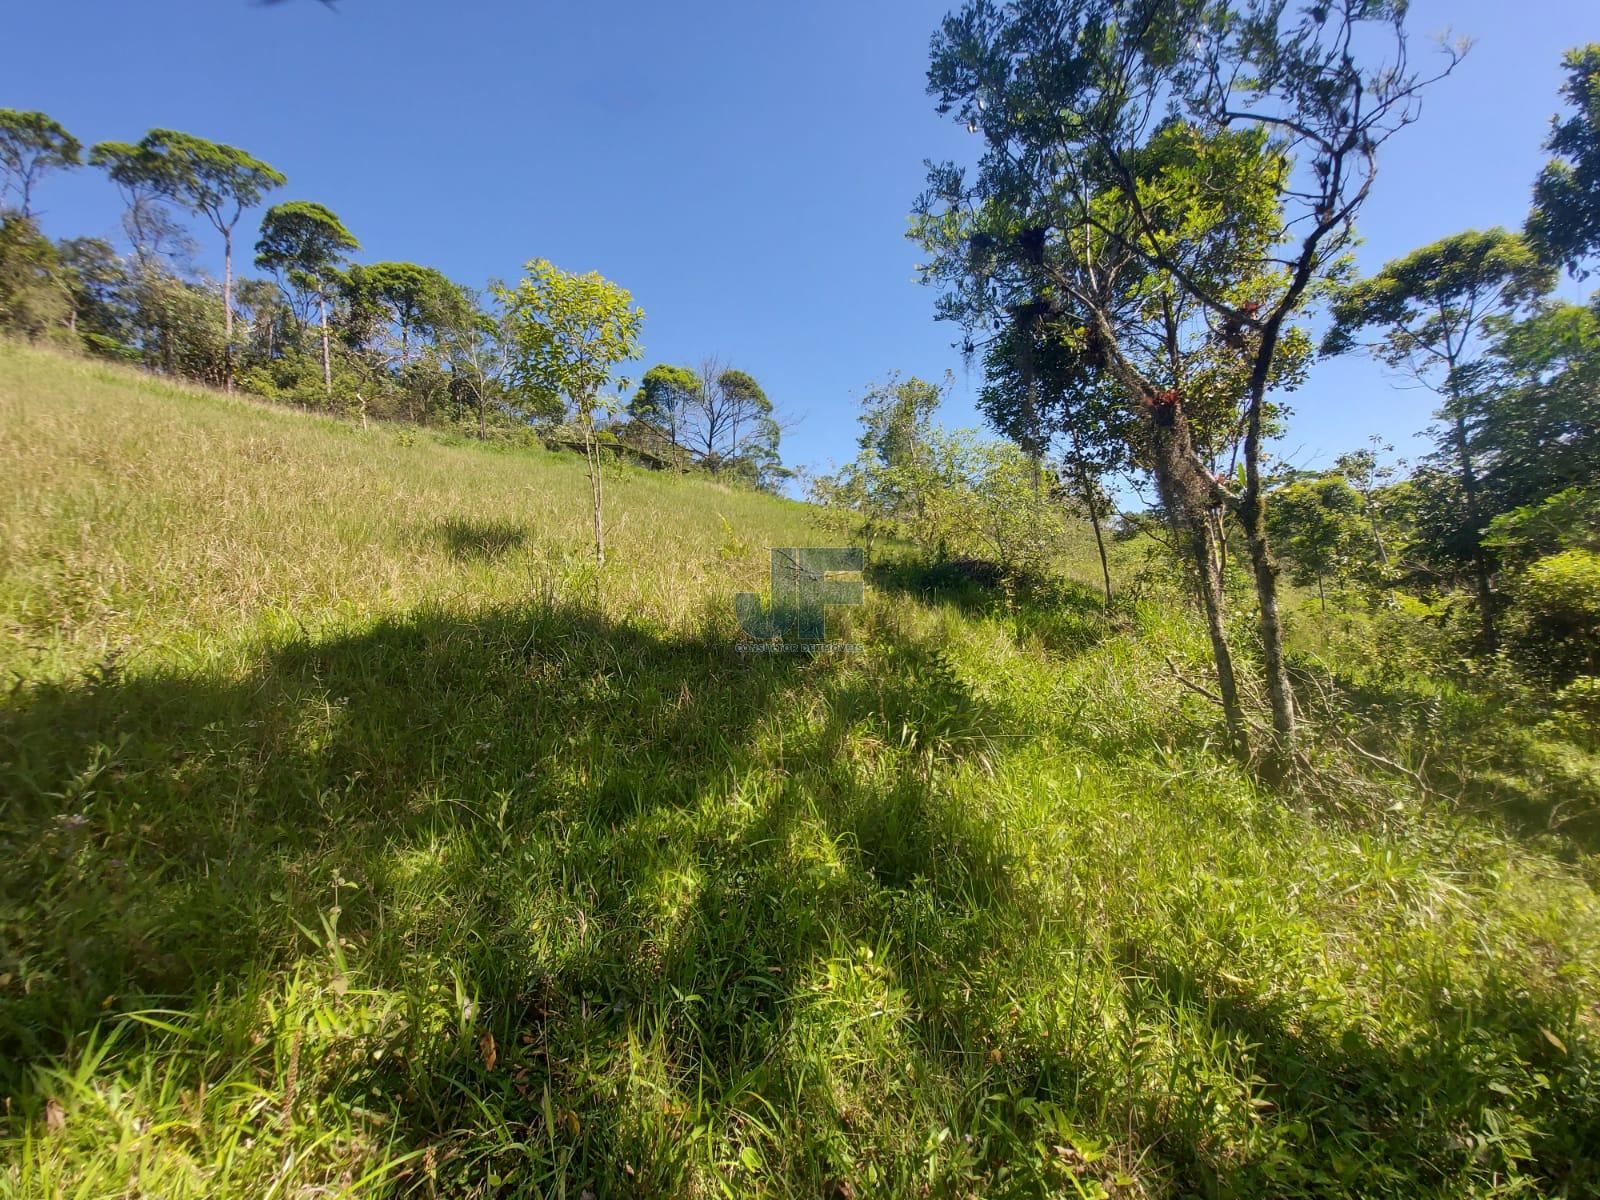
x: 1340, y: 1111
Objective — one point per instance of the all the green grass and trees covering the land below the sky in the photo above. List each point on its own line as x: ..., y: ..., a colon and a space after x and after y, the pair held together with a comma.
x: 390, y: 812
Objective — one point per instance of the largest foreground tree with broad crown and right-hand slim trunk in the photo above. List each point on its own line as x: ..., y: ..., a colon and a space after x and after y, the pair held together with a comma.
x: 1206, y: 156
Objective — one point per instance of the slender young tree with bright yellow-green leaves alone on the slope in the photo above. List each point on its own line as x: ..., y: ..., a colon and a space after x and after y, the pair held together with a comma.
x: 570, y: 334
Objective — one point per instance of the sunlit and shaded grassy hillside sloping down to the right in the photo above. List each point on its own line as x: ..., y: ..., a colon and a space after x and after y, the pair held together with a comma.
x: 359, y: 839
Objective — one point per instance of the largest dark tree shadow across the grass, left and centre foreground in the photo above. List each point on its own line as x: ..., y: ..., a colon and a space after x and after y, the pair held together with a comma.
x: 604, y: 833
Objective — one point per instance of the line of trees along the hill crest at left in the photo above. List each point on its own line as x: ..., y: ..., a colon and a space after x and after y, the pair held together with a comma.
x: 322, y: 330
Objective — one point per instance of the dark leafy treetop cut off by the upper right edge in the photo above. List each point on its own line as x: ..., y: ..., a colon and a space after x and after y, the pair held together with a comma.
x: 1566, y: 222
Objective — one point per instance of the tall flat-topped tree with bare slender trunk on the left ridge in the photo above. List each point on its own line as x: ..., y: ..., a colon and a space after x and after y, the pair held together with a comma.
x: 215, y: 182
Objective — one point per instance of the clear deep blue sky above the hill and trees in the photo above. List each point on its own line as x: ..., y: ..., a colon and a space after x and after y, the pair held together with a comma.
x: 745, y: 169
